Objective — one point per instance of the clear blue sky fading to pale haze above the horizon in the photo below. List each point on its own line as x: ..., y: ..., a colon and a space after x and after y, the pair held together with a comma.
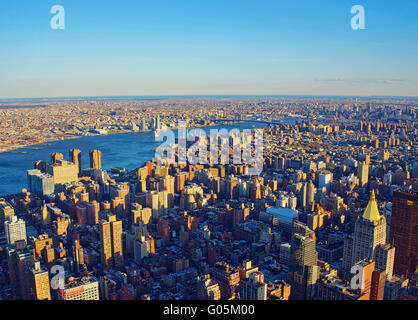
x: 158, y: 47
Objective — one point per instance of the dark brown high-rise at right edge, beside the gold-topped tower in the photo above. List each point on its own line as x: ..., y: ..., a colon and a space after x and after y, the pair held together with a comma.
x: 404, y: 231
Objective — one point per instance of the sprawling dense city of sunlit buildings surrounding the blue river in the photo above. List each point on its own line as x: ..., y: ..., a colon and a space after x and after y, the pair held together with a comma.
x: 338, y: 192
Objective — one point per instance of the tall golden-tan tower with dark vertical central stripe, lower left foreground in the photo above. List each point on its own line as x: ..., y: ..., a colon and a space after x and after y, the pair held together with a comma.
x: 111, y: 242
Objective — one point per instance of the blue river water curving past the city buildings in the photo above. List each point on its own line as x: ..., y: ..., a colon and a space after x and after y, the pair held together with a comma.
x: 127, y: 150
